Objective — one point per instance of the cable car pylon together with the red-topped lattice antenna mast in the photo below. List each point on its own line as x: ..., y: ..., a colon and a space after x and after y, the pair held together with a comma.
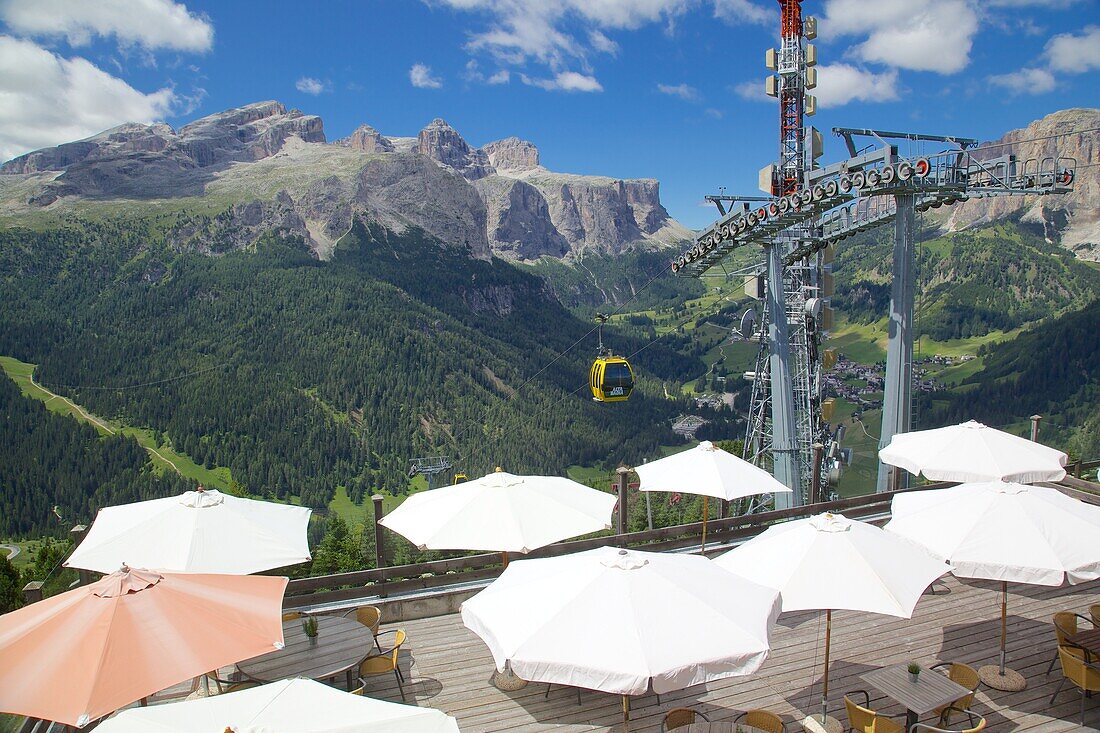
x: 809, y: 211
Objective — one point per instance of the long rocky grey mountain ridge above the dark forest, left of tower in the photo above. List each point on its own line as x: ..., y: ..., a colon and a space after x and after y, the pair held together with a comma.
x: 265, y: 168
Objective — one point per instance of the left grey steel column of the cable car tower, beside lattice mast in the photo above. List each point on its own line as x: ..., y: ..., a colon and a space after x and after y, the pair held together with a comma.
x: 785, y: 444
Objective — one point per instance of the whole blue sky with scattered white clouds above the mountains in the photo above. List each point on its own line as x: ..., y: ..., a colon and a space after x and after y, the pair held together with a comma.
x: 669, y: 90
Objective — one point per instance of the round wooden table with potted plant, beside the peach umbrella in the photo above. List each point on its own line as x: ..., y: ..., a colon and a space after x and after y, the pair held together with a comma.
x: 339, y: 647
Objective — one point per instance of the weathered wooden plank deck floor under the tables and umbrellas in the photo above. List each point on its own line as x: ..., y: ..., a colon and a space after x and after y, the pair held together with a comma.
x: 448, y: 668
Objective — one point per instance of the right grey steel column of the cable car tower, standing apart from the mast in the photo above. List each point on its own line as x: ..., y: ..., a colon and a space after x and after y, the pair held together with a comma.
x: 897, y: 401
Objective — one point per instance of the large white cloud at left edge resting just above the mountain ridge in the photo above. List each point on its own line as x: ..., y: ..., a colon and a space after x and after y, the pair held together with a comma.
x: 49, y: 101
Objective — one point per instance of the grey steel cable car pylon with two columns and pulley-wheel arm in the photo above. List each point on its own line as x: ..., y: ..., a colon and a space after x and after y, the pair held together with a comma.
x: 866, y: 191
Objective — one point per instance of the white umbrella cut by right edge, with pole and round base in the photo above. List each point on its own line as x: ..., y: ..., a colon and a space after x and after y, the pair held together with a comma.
x: 1007, y: 532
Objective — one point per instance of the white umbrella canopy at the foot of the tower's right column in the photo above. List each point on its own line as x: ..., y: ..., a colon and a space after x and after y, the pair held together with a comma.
x: 972, y: 452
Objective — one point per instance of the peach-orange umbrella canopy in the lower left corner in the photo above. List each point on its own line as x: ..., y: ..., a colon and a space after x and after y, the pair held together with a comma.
x: 83, y: 654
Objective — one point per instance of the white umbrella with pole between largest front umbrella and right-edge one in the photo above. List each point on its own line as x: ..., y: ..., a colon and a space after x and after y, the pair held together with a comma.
x: 832, y: 563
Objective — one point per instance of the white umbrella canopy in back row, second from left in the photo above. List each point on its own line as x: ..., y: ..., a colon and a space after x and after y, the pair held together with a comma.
x: 502, y: 512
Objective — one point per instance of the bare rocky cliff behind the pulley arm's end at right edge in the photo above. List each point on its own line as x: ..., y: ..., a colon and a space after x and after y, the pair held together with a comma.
x: 1074, y: 217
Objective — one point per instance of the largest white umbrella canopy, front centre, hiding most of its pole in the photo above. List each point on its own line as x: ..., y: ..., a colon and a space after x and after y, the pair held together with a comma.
x: 623, y: 621
